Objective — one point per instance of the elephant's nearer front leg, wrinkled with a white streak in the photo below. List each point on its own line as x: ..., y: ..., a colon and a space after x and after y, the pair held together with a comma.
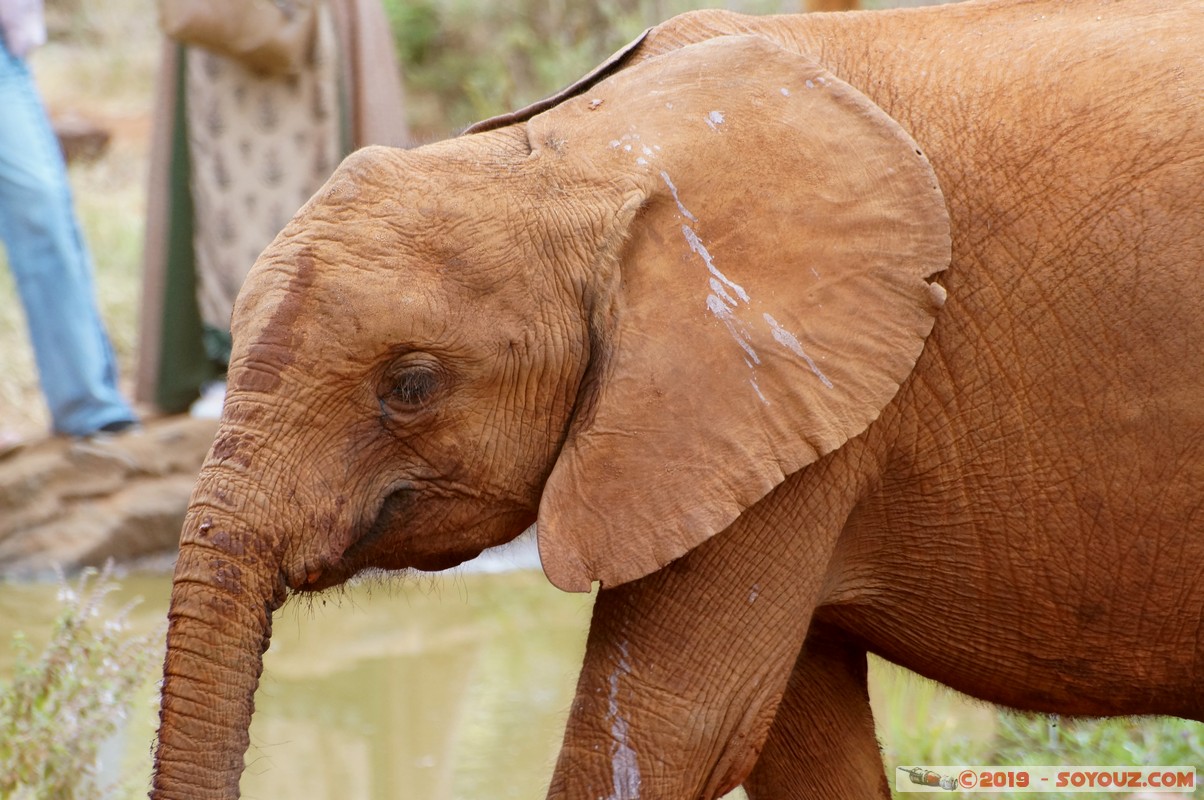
x: 684, y: 668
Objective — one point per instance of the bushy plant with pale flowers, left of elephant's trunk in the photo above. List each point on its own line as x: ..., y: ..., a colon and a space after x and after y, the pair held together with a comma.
x: 64, y: 703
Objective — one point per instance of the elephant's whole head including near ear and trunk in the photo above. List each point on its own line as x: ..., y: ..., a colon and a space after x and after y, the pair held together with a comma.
x: 628, y: 317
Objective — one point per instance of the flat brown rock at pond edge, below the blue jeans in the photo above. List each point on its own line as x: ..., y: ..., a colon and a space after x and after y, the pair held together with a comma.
x: 72, y: 504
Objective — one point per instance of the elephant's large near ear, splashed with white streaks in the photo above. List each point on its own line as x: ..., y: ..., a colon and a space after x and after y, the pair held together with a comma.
x: 765, y: 299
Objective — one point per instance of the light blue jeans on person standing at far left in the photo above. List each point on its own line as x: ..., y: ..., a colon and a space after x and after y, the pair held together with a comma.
x: 51, y: 264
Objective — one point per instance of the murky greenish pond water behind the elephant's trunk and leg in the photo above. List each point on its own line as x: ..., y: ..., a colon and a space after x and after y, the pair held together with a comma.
x: 438, y: 687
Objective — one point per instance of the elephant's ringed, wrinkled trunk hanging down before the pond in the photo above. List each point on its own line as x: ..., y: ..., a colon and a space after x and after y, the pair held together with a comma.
x: 223, y: 596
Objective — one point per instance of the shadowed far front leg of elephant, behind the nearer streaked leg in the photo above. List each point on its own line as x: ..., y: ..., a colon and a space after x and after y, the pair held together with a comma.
x: 823, y: 744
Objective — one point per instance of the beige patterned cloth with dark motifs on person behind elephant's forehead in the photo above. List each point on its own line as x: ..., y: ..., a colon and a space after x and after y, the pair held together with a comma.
x: 259, y: 148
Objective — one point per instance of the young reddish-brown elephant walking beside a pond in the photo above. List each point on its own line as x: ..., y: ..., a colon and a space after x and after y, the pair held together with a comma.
x: 799, y: 339
